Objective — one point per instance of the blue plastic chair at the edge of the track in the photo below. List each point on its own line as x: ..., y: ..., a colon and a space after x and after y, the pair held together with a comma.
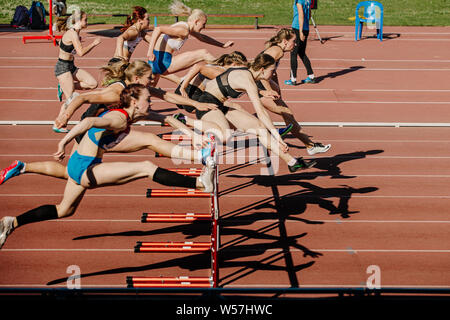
x: 372, y: 15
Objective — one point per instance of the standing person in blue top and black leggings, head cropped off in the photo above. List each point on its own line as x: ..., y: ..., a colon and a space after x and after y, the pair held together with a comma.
x: 300, y: 25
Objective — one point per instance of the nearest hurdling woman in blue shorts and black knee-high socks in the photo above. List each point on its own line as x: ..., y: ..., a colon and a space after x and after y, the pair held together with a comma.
x: 87, y: 171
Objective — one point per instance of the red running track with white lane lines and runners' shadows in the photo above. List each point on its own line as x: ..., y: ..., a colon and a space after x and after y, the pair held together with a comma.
x: 379, y: 197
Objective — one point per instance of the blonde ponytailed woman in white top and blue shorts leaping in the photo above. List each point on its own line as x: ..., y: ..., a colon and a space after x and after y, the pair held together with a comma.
x: 167, y: 40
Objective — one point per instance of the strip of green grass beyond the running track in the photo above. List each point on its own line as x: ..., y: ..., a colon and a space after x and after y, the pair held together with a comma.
x: 330, y: 12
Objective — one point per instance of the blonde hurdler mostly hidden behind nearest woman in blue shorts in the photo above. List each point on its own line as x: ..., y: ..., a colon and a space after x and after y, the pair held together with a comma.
x: 135, y: 140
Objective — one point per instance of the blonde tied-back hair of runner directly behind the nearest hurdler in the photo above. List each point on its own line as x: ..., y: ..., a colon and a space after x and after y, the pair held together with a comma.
x: 123, y: 70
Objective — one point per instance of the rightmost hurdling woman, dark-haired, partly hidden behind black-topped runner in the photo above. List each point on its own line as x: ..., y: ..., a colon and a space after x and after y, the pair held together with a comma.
x: 270, y: 92
